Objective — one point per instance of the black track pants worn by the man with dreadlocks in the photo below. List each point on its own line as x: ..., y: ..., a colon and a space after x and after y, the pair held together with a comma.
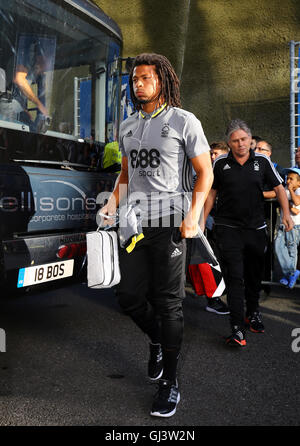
x: 152, y: 285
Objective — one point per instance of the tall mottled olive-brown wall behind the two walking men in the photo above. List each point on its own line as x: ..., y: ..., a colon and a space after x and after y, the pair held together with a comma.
x: 232, y: 57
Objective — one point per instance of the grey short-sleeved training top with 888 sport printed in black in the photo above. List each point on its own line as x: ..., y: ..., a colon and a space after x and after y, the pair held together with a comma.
x: 159, y: 148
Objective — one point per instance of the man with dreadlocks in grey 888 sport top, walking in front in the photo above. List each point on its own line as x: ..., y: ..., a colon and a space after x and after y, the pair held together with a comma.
x: 160, y: 145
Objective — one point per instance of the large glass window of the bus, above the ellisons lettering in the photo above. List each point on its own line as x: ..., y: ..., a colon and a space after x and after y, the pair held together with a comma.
x: 55, y: 76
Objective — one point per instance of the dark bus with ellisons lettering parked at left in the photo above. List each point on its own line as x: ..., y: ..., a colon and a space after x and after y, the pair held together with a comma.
x: 60, y: 99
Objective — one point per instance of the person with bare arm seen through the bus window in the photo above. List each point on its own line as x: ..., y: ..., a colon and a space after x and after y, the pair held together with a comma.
x: 29, y: 71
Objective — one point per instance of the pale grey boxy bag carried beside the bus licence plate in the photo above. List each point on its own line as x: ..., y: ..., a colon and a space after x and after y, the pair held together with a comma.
x: 103, y: 269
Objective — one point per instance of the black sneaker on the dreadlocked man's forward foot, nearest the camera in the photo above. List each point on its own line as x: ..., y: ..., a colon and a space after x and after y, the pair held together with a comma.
x: 166, y: 399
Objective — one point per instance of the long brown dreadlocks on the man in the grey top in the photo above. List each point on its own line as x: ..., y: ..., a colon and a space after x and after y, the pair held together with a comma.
x: 169, y: 81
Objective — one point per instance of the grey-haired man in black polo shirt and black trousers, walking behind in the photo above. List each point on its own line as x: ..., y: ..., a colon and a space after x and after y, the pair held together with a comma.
x: 240, y: 226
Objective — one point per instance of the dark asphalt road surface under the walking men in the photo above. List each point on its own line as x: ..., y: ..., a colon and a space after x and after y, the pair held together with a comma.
x: 73, y: 359
